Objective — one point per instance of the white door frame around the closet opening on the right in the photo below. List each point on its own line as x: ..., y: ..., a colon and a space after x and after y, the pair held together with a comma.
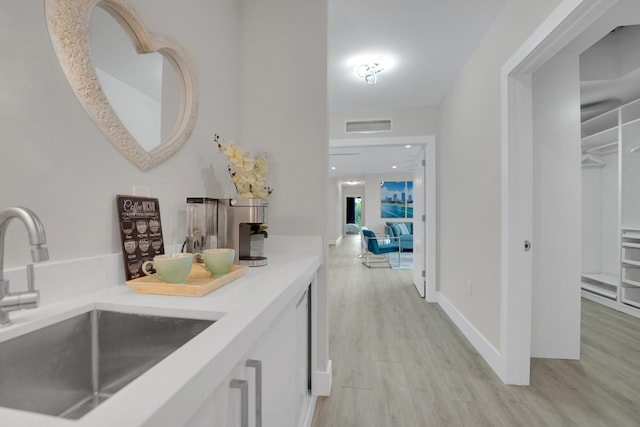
x: 568, y: 20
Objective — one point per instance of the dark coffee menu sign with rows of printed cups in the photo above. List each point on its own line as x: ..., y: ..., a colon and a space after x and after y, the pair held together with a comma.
x: 140, y: 232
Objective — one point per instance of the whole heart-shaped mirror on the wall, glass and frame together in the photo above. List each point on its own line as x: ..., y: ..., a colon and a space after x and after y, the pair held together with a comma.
x: 69, y: 24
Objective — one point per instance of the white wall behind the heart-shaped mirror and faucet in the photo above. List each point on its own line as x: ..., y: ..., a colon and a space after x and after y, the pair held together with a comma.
x: 55, y: 160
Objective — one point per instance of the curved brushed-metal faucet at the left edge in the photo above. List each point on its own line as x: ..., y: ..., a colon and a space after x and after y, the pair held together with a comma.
x: 30, y: 298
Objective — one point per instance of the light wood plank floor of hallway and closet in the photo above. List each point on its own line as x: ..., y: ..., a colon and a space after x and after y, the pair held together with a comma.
x: 399, y: 361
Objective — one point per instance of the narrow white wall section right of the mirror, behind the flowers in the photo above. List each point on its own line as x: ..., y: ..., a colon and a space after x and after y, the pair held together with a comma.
x: 283, y: 111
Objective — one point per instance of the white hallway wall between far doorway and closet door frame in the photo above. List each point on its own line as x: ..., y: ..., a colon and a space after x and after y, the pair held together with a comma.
x: 469, y: 181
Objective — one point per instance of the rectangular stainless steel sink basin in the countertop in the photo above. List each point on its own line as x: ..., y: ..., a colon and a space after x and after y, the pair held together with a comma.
x: 70, y: 367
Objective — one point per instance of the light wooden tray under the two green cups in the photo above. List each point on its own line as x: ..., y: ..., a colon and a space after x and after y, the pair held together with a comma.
x: 198, y: 283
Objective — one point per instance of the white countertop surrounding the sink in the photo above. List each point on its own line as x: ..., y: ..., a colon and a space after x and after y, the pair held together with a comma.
x: 174, y: 388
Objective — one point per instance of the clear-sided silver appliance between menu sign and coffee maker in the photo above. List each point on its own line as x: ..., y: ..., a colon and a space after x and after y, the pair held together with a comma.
x: 202, y: 224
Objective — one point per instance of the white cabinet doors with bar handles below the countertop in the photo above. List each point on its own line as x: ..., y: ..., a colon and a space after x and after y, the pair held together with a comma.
x: 268, y: 371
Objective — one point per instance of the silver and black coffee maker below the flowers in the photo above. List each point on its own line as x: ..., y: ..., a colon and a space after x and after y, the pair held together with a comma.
x: 242, y: 226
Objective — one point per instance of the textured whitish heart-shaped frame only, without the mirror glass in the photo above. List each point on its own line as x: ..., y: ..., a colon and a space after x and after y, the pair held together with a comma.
x: 68, y: 22
